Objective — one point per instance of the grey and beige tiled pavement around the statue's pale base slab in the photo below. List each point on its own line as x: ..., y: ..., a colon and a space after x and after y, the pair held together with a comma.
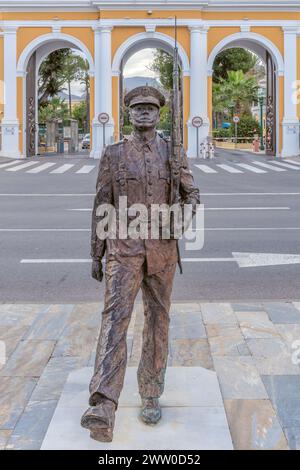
x: 251, y: 346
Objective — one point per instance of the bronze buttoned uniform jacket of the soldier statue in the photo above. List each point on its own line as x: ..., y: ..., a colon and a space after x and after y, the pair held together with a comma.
x: 140, y: 170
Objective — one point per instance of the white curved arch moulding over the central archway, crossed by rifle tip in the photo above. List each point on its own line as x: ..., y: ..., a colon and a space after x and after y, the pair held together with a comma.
x: 152, y: 39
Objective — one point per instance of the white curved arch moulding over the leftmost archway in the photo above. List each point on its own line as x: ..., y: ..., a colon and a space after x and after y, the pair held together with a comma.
x: 46, y: 38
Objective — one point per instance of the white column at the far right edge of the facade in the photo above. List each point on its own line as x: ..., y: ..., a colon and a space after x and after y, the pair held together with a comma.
x: 290, y: 121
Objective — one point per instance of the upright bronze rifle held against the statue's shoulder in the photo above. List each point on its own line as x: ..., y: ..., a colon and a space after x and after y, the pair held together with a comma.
x: 175, y: 153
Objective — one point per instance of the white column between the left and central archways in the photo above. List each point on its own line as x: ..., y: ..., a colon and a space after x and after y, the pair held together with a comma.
x: 103, y: 89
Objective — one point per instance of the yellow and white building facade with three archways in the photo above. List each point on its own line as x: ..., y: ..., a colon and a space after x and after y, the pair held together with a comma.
x: 109, y: 32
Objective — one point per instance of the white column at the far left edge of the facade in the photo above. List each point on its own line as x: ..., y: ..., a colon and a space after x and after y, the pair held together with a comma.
x: 10, y: 123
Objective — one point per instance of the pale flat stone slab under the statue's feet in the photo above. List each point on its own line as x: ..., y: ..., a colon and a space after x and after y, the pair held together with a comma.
x: 193, y: 416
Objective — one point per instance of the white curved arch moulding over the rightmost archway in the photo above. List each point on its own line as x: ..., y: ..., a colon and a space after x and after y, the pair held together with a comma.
x: 251, y: 37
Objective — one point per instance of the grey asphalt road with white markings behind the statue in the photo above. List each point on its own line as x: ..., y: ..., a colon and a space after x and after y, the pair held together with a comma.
x: 46, y: 216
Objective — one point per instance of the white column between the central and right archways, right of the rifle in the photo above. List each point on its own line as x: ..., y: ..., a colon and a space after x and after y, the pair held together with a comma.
x: 198, y: 87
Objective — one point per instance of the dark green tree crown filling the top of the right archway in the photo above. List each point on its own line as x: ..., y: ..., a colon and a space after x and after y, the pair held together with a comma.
x: 233, y: 59
